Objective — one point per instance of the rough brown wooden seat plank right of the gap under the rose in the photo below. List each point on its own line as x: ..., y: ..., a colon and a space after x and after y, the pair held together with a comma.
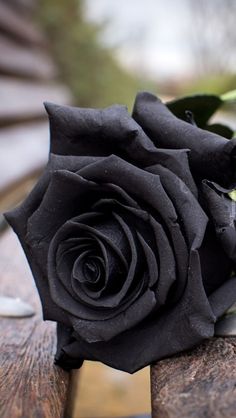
x: 197, y: 384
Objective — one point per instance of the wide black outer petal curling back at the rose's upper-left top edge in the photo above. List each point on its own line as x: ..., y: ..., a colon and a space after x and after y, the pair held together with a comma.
x: 97, y: 132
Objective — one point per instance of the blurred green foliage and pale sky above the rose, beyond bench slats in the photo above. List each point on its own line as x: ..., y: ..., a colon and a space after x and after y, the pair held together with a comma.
x: 106, y: 50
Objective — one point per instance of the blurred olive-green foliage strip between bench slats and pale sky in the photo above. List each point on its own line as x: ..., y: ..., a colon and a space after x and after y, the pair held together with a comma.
x: 89, y: 69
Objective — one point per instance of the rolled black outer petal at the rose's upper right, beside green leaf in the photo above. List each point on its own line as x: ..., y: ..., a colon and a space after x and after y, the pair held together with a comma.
x: 211, y: 156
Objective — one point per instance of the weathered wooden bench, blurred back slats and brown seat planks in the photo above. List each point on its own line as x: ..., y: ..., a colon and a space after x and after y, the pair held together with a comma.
x: 200, y: 383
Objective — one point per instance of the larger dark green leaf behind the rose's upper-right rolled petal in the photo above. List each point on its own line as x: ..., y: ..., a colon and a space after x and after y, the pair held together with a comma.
x: 203, y: 106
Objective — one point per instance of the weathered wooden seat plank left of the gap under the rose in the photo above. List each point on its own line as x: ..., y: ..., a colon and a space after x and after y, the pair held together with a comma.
x: 30, y: 385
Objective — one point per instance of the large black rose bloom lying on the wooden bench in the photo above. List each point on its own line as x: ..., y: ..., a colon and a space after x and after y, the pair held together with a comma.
x: 129, y: 233
